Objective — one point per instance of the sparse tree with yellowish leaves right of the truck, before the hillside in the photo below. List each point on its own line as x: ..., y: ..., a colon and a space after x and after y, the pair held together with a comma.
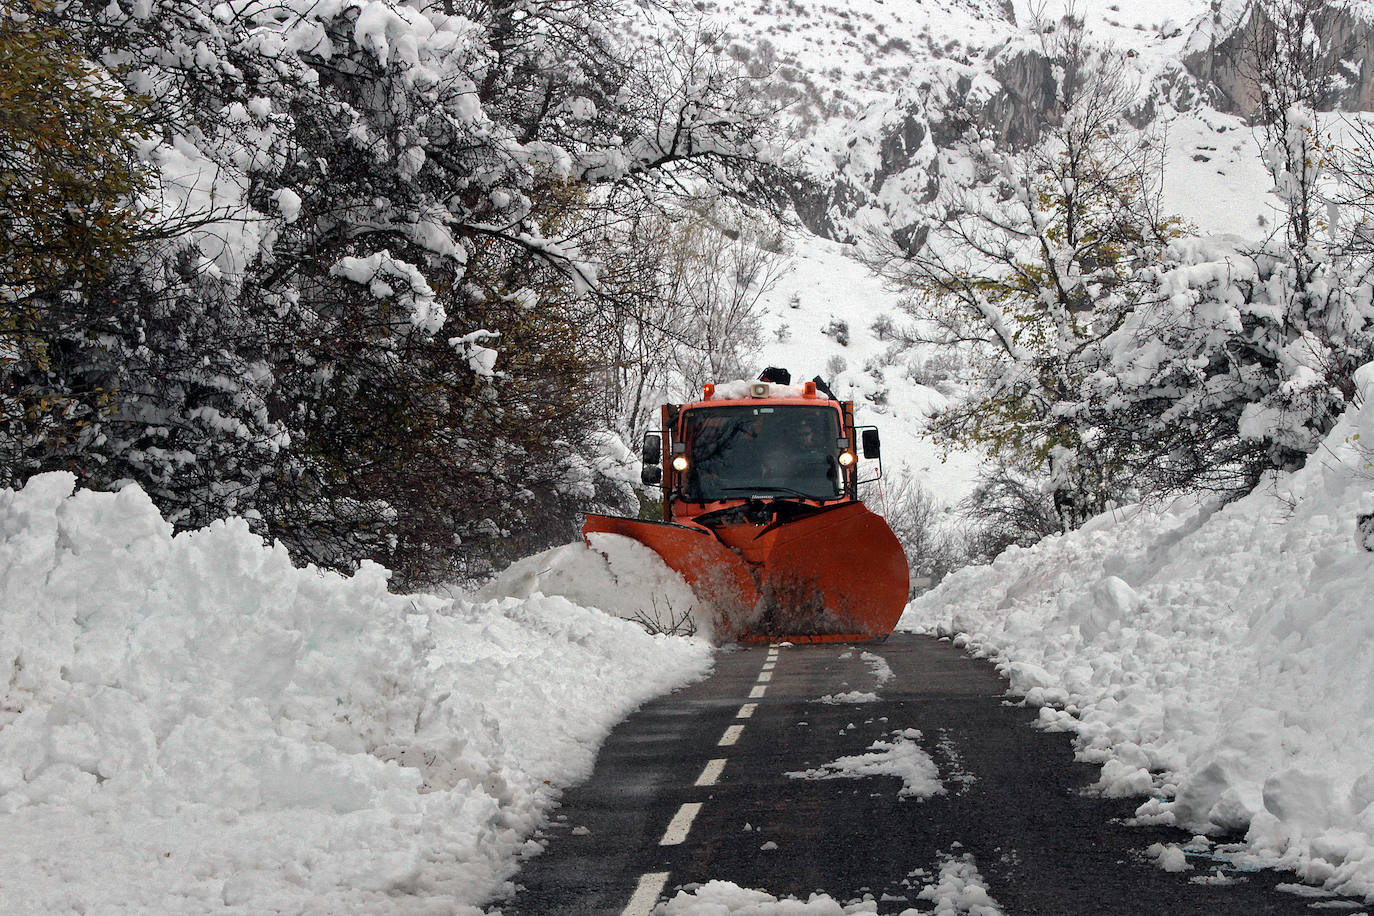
x: 1037, y: 262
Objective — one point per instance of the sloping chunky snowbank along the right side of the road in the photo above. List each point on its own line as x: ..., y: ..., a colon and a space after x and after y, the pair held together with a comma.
x: 1219, y: 659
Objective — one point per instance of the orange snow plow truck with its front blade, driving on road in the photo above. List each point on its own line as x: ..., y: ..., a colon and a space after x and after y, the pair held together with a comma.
x: 763, y: 518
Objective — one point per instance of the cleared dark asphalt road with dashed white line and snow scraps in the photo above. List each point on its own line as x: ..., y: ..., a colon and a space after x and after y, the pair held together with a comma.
x: 696, y: 788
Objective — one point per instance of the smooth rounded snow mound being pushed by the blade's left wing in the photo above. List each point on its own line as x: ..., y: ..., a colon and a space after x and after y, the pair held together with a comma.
x: 616, y: 575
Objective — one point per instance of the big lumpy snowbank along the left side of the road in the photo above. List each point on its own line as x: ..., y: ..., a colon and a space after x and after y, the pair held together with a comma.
x: 190, y: 723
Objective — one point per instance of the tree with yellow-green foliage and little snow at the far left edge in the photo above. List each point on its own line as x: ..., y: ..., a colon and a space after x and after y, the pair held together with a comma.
x: 69, y: 183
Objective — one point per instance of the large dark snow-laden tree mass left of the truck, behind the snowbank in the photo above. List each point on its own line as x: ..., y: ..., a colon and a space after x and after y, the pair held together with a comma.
x: 363, y: 325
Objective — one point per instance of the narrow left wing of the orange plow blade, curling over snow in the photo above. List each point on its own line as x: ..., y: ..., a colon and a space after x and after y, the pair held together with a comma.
x: 711, y: 569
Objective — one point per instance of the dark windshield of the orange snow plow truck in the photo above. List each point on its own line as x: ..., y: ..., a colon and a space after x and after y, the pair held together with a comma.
x: 739, y: 453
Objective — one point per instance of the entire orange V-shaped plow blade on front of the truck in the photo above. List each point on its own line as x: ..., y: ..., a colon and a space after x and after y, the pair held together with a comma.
x: 839, y: 575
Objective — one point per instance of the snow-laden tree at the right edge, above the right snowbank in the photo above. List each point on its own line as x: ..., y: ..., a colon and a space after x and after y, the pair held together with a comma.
x: 1247, y: 358
